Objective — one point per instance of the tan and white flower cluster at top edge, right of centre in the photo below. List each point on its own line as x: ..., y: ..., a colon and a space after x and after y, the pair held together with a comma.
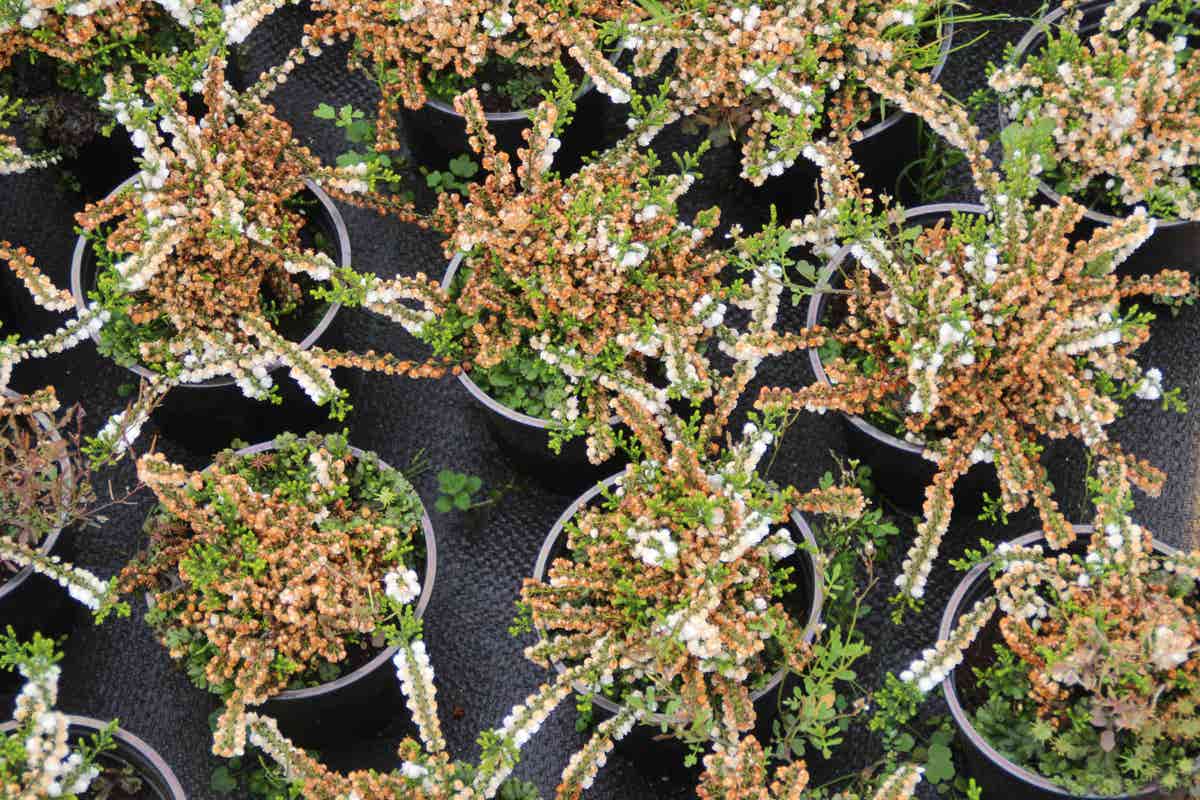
x: 781, y: 75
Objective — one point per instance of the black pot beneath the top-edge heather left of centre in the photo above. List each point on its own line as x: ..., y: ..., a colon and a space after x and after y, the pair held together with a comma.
x: 437, y: 133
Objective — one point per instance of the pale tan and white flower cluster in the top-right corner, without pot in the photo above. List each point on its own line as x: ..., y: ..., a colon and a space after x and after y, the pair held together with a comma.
x: 1119, y: 109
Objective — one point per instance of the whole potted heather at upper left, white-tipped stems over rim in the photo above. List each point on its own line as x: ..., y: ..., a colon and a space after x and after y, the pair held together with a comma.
x: 208, y: 266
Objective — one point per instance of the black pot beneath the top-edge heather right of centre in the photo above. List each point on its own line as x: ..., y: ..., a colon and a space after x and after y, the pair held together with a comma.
x: 884, y: 153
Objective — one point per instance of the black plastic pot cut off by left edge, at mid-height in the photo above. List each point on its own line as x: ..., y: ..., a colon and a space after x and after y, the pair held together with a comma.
x: 31, y: 601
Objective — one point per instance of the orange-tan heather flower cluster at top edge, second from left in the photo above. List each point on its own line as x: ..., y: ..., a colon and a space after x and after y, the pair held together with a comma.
x: 403, y: 45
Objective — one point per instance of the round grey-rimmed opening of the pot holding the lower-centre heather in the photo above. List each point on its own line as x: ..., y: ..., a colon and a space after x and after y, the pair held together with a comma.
x: 809, y: 593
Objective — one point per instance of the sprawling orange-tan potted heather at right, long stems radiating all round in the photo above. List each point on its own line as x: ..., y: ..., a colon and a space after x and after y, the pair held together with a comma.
x: 979, y: 340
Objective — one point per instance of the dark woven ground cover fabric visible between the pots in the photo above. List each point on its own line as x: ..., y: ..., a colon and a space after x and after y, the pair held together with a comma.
x: 119, y: 671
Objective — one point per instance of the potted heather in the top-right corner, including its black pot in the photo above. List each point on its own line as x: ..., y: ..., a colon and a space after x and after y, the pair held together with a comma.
x: 1111, y: 89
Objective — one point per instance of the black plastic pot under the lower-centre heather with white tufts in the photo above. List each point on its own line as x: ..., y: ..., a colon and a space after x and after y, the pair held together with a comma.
x: 806, y: 601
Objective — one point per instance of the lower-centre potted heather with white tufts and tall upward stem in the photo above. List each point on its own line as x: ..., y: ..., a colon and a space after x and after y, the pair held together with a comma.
x: 697, y: 569
